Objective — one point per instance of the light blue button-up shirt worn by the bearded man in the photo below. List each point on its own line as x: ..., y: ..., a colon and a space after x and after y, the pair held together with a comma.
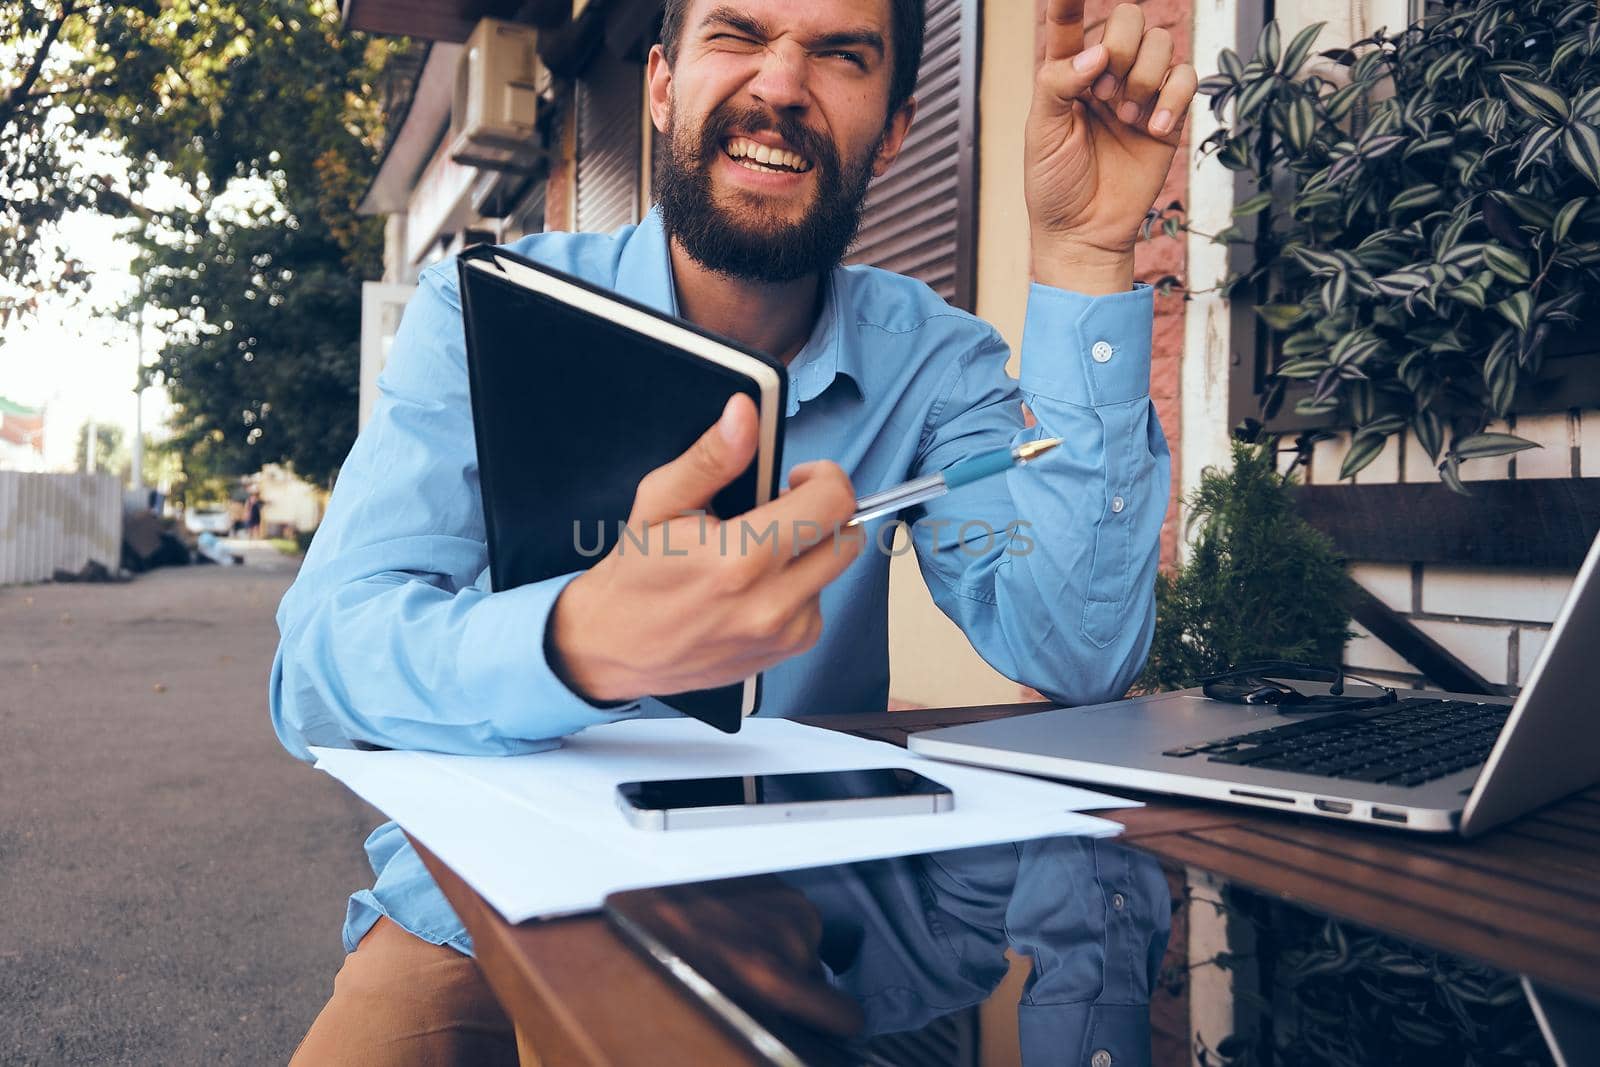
x: 391, y: 636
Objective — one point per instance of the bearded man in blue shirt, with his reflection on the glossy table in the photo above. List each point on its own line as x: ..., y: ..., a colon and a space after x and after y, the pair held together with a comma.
x: 777, y: 118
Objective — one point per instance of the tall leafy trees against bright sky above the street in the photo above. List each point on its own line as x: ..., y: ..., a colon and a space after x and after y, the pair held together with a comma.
x: 214, y: 95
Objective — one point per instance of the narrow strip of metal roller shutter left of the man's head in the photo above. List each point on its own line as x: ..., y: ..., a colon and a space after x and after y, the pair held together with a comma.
x: 609, y: 143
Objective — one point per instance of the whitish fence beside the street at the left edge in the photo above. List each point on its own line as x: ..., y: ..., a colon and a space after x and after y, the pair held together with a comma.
x: 54, y: 522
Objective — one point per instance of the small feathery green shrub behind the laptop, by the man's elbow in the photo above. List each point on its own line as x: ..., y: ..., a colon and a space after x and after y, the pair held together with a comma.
x: 1260, y: 581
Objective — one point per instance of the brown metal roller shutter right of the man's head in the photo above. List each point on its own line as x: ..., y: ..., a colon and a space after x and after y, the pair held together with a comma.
x: 921, y: 217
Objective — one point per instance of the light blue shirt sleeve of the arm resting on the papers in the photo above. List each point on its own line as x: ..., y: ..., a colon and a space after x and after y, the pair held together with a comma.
x: 391, y: 634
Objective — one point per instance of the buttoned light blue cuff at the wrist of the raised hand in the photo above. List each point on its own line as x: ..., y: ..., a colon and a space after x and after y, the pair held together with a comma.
x: 1089, y: 351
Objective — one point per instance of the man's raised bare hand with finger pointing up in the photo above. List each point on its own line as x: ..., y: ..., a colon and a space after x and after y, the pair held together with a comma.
x: 1102, y: 134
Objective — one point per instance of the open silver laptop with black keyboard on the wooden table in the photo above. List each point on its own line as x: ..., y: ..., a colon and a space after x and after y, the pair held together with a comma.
x: 1431, y: 762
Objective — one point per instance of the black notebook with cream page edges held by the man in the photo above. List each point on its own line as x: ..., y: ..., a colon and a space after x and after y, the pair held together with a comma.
x: 577, y: 396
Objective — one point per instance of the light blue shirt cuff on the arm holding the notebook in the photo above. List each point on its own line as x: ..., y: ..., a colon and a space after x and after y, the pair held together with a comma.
x: 503, y: 650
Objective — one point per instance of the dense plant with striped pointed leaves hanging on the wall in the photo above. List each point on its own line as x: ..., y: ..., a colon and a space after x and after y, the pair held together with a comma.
x: 1426, y: 231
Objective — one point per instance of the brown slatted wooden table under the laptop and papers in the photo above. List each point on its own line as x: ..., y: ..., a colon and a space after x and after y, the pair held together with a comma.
x: 1524, y: 900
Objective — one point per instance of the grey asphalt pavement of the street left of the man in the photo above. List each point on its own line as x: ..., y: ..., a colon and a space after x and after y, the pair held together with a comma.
x: 172, y: 882
